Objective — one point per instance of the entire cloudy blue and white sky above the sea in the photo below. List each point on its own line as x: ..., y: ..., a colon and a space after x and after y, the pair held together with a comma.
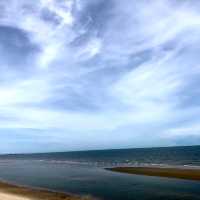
x: 98, y: 74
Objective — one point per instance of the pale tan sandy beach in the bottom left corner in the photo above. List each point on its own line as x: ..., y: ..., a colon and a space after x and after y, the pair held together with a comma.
x: 10, y: 191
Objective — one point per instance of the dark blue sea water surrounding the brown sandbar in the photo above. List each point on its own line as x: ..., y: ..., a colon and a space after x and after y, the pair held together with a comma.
x: 83, y: 173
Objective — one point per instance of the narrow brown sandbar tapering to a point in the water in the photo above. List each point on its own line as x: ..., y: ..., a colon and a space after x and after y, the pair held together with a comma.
x: 167, y: 172
